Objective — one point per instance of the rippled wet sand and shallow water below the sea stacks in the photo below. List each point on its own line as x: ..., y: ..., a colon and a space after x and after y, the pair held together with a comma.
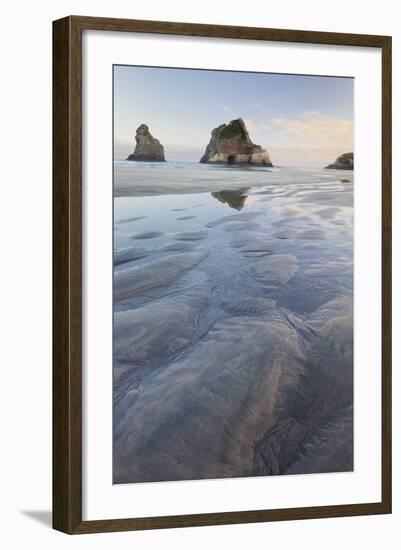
x: 233, y: 324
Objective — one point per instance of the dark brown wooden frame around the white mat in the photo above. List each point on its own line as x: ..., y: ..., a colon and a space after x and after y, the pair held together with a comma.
x: 67, y: 274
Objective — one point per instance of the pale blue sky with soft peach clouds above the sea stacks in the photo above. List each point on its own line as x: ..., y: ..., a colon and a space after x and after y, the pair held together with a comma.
x: 300, y: 120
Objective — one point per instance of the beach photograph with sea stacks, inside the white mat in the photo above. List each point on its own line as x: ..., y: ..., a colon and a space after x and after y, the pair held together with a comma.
x: 232, y: 274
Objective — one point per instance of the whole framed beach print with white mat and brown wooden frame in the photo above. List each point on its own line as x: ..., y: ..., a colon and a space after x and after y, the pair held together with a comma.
x: 222, y: 274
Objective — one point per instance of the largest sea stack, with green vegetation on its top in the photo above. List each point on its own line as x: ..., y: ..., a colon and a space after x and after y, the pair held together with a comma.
x: 231, y: 144
